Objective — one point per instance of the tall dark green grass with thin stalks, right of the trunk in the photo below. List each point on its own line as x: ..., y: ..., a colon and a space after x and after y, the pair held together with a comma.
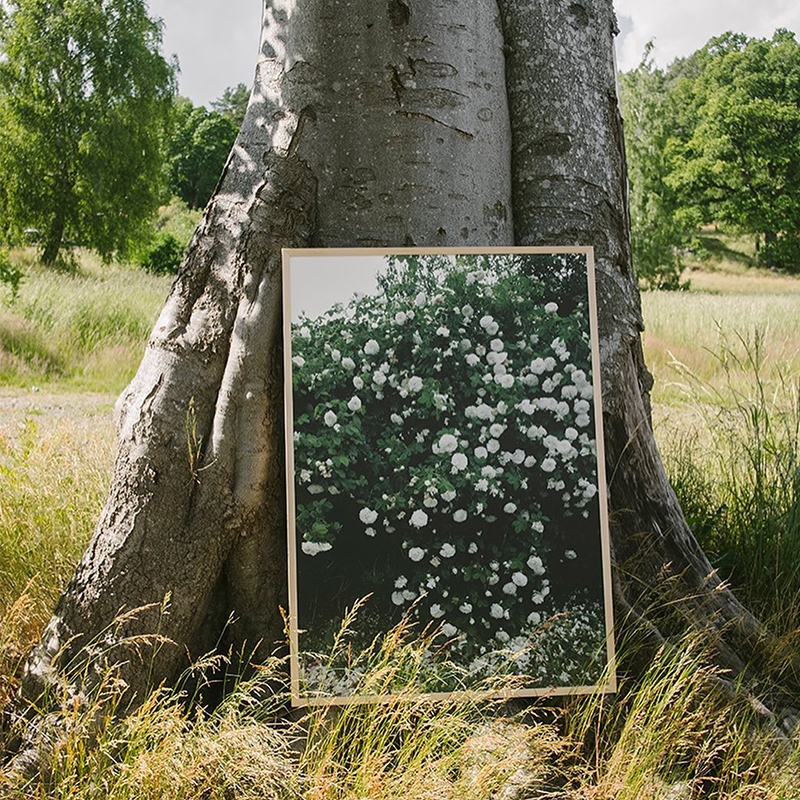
x: 741, y: 488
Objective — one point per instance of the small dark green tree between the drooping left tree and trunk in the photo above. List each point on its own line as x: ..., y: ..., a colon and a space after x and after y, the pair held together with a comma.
x: 198, y: 149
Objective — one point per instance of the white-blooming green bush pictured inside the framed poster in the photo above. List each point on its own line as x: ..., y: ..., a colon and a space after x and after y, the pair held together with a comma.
x: 467, y: 452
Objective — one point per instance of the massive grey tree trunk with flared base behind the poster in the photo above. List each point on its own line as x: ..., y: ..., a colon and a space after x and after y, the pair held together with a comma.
x: 392, y: 124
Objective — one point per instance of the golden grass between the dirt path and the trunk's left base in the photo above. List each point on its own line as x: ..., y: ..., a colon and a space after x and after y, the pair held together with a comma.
x: 53, y: 479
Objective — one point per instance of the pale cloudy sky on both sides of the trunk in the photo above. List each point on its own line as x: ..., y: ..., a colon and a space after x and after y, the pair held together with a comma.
x: 216, y: 40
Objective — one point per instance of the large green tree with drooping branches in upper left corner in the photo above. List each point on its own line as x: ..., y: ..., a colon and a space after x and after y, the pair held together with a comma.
x: 84, y: 104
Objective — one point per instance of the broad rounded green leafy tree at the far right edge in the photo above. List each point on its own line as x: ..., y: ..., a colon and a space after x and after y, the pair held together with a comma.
x: 736, y: 154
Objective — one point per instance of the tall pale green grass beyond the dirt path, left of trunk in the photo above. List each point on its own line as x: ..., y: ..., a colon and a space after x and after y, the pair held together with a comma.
x: 83, y: 330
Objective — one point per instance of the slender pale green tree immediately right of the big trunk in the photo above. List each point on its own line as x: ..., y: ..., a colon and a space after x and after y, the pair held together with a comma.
x: 657, y: 229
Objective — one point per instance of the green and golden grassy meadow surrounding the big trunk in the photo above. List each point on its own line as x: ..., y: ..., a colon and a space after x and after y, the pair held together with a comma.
x: 726, y: 359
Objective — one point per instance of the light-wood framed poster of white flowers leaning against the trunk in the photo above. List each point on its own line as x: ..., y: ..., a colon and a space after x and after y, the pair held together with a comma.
x: 445, y: 467
